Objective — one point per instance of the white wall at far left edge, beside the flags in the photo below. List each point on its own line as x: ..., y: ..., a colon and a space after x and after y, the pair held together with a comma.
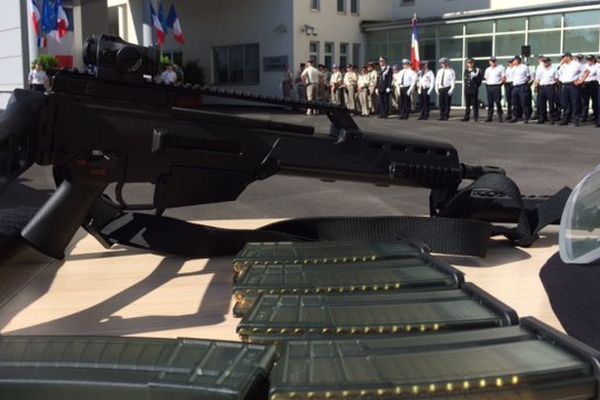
x: 12, y: 54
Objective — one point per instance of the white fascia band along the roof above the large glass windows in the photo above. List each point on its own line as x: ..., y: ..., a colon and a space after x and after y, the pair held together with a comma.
x: 437, y: 8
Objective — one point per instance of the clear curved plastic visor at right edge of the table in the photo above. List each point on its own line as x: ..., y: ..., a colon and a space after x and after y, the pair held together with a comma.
x: 579, y: 236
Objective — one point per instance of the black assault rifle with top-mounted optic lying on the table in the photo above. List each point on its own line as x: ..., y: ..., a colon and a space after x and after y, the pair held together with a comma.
x: 116, y: 126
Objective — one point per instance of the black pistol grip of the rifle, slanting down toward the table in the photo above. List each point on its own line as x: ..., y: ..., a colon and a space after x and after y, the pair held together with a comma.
x: 51, y: 229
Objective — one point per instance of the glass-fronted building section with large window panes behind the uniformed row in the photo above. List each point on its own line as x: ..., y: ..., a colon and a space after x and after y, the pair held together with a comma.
x: 459, y: 29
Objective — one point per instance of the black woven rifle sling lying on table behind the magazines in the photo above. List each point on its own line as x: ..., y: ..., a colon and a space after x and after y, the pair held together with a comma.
x: 448, y: 233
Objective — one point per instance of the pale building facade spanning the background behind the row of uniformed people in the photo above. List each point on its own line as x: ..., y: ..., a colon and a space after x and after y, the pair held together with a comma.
x: 246, y: 44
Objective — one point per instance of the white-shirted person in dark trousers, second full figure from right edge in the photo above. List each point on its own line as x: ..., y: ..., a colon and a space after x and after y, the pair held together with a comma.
x: 571, y: 76
